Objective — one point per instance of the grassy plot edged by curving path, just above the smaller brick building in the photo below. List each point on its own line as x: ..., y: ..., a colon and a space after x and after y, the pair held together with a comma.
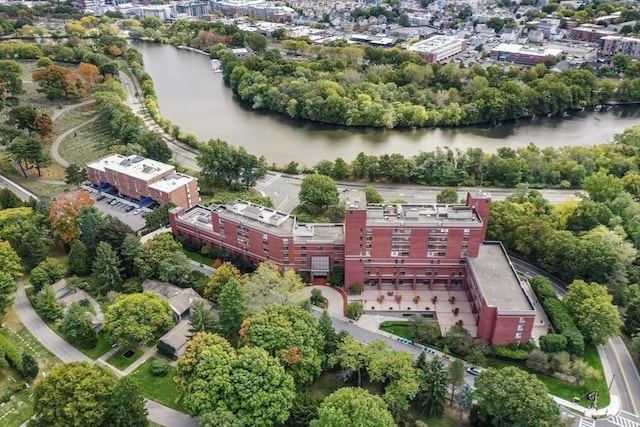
x: 89, y: 143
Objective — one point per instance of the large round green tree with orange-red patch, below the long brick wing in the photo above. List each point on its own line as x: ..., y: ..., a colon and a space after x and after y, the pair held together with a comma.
x: 291, y: 335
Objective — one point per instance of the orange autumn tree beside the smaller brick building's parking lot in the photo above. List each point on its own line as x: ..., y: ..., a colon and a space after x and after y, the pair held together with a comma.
x: 63, y: 212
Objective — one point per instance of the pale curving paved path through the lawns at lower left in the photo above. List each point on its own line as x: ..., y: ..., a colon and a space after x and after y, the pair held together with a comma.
x: 158, y: 413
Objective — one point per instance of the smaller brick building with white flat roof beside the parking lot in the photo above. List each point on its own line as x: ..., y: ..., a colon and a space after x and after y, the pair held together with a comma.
x: 141, y: 178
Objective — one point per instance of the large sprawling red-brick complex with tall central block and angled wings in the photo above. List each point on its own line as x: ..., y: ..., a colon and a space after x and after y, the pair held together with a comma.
x: 385, y: 248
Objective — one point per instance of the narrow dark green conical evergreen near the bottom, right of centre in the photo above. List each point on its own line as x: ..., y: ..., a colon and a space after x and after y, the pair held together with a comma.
x: 433, y: 389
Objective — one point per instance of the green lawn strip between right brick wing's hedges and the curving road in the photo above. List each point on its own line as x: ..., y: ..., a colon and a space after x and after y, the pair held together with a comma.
x: 569, y: 391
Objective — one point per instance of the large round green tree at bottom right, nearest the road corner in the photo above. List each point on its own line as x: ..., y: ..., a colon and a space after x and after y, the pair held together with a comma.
x: 510, y: 397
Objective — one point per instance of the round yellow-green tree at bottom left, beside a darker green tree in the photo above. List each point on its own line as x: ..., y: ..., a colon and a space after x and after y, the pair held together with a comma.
x: 73, y: 394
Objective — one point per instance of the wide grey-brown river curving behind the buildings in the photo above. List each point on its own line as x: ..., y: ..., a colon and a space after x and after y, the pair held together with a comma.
x: 195, y: 98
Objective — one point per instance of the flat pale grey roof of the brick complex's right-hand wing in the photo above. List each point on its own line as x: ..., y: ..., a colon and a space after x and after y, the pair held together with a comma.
x: 497, y: 279
